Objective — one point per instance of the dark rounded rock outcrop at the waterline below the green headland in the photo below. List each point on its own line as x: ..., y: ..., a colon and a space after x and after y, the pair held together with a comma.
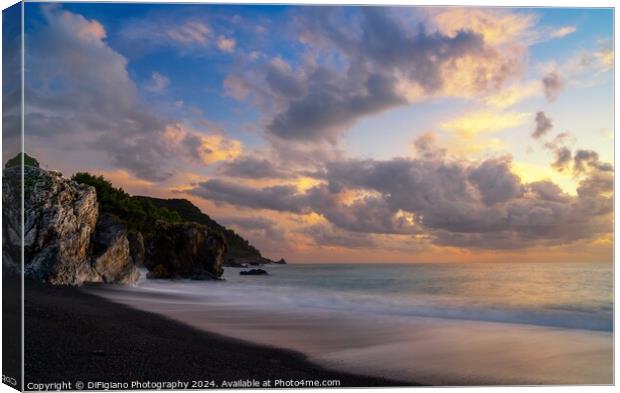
x: 187, y: 250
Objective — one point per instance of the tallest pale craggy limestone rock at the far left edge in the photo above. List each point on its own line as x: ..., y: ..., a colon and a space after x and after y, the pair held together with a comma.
x: 59, y: 219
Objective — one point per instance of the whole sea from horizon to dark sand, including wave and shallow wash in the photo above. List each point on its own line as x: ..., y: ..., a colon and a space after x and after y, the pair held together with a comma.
x: 445, y: 324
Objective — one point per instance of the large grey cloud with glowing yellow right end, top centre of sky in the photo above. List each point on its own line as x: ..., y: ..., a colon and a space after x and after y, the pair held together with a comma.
x: 383, y: 62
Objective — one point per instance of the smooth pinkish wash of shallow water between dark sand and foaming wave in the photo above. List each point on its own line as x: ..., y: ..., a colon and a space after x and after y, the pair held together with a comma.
x: 426, y: 350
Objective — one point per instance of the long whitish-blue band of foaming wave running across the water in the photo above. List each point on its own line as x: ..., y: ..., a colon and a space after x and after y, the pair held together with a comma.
x: 285, y: 297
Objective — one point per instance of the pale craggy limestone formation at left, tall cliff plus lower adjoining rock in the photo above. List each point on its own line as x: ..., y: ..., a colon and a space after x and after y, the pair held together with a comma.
x: 60, y: 224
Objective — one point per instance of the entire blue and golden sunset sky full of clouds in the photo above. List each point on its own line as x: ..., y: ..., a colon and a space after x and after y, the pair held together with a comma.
x: 340, y: 134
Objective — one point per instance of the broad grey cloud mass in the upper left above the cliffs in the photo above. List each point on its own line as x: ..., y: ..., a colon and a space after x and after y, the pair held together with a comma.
x: 91, y: 103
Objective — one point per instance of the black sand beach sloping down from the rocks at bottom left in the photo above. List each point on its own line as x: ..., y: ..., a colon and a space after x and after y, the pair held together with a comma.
x: 71, y: 335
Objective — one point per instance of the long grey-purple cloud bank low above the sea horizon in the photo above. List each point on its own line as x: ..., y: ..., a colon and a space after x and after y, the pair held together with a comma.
x: 451, y: 202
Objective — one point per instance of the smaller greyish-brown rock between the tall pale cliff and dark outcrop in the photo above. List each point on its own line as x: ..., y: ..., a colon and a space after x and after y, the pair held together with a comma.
x: 111, y: 259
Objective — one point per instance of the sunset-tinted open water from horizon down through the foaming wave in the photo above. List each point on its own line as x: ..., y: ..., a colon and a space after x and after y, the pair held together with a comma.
x: 571, y: 295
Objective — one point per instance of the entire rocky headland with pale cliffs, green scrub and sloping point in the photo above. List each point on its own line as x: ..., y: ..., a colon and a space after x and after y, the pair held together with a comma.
x: 85, y: 230
